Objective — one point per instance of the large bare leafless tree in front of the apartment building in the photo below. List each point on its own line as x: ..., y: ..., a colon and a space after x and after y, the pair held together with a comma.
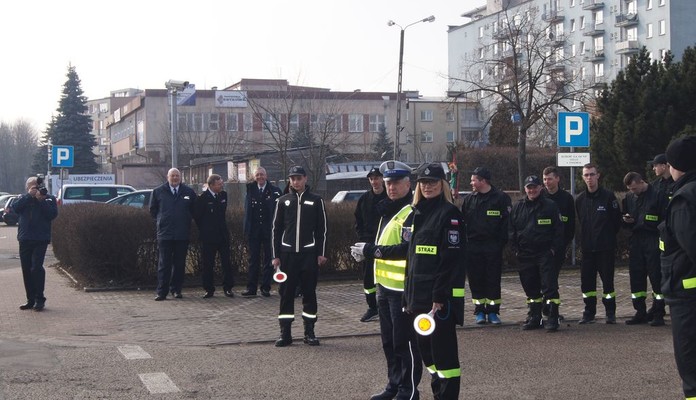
x: 524, y: 65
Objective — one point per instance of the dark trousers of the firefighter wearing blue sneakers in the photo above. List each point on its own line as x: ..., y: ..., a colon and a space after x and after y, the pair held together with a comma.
x: 484, y: 270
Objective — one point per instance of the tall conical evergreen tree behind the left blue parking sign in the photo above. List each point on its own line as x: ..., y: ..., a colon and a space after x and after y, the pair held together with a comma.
x: 72, y: 126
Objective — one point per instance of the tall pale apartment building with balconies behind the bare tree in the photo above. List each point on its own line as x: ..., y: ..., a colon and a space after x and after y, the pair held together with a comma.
x: 597, y: 37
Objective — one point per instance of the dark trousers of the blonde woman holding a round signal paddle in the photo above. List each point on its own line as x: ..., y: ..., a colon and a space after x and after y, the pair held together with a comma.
x: 440, y: 353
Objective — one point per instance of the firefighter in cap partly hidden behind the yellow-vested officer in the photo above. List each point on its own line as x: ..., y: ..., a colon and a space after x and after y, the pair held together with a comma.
x: 366, y: 223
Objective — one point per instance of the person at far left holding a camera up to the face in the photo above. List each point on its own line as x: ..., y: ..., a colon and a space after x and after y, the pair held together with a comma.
x: 36, y: 210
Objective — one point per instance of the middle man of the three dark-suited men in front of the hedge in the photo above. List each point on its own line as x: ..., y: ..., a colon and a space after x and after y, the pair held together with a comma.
x: 209, y: 214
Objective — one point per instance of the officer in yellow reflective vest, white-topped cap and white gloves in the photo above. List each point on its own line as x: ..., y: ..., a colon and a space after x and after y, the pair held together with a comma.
x: 404, y: 368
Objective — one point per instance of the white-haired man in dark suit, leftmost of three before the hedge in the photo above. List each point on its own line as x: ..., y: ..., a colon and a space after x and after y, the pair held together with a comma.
x: 172, y: 207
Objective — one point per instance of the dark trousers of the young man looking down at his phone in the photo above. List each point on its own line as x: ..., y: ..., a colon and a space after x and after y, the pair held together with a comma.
x: 644, y: 263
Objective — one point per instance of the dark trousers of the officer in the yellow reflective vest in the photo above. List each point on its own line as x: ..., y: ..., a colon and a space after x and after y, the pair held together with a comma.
x: 404, y: 366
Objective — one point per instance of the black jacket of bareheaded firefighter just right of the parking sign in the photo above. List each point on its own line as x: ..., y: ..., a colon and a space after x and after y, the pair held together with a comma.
x: 600, y: 219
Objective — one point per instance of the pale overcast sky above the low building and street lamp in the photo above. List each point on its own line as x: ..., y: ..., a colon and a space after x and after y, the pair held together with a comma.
x: 336, y: 44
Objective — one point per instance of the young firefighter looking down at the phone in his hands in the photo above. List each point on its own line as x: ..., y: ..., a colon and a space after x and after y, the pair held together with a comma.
x: 643, y: 211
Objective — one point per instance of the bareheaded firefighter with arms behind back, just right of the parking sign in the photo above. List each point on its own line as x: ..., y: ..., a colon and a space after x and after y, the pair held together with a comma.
x: 600, y: 220
